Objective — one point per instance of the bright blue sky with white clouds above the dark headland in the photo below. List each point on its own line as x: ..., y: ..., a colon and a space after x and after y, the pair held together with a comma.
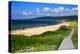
x: 27, y: 10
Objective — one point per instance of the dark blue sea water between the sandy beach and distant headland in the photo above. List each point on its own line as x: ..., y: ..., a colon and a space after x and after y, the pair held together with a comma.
x: 22, y: 24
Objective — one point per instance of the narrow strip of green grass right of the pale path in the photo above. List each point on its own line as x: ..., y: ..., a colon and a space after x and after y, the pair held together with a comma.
x: 75, y: 35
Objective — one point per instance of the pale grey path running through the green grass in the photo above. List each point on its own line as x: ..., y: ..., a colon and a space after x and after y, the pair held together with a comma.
x: 67, y: 42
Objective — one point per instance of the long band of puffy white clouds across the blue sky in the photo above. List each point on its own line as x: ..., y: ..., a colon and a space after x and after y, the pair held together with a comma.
x: 59, y: 11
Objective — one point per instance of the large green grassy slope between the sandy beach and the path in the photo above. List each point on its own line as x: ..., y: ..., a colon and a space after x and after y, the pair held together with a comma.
x: 46, y: 41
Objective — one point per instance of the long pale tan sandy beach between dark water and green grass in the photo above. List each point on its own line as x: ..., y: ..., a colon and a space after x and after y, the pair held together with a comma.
x: 38, y: 30
